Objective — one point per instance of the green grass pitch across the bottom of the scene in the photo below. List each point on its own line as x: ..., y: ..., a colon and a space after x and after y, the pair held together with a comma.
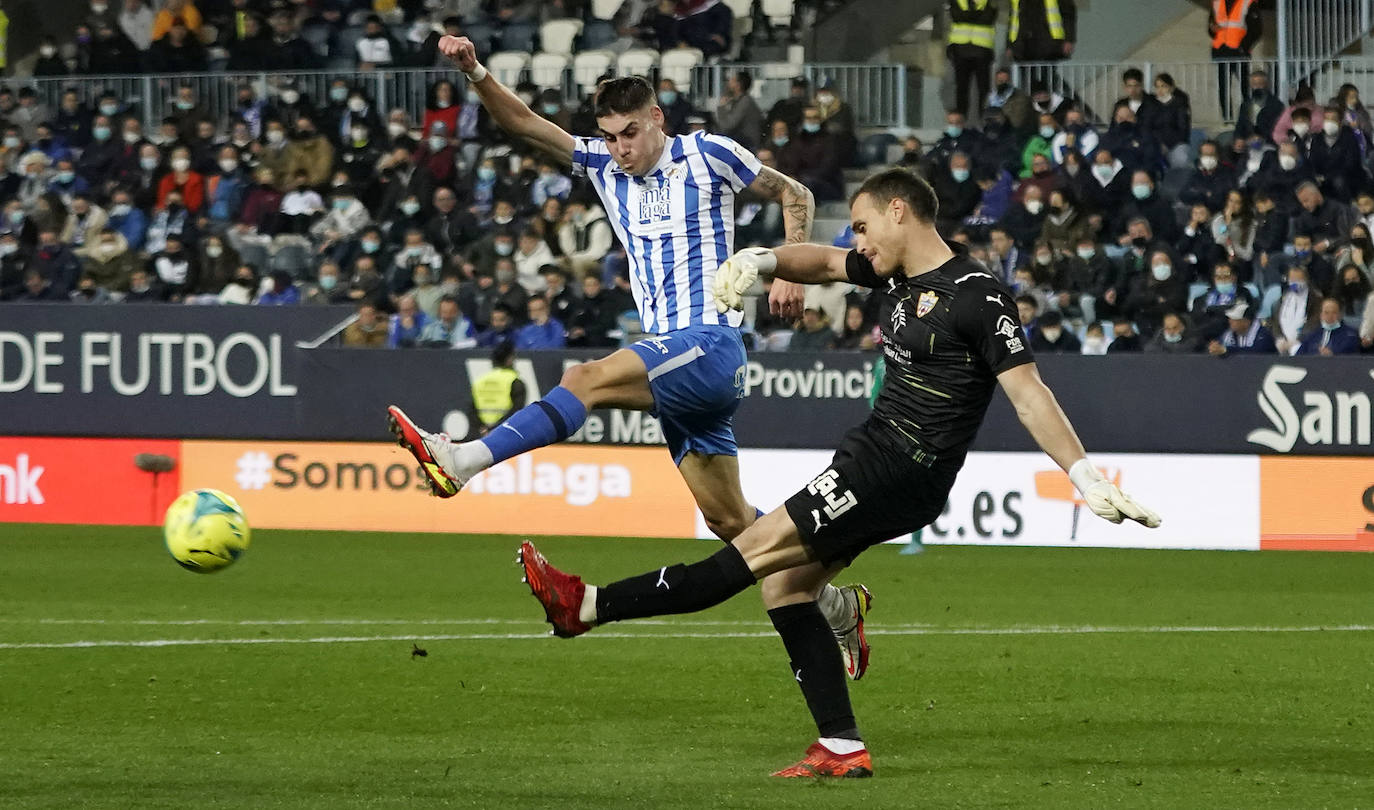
x: 1001, y: 679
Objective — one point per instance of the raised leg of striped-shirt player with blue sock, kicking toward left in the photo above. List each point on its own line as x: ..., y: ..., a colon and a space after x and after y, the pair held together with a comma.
x: 619, y: 381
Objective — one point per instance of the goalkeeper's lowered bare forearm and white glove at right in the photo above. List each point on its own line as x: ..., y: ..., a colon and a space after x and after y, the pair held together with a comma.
x: 1049, y: 426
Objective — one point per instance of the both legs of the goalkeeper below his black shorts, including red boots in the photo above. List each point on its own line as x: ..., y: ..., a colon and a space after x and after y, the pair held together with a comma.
x: 769, y: 547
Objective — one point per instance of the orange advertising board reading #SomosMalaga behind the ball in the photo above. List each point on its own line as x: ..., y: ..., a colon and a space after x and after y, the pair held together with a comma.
x: 624, y: 492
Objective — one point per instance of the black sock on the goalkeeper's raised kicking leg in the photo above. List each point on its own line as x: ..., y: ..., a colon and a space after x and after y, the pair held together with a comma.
x: 677, y: 590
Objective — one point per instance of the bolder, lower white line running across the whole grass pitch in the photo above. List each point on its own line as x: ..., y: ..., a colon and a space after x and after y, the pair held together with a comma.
x: 1046, y: 631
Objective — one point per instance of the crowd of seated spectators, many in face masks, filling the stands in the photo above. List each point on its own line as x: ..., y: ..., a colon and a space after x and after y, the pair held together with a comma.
x: 1129, y: 235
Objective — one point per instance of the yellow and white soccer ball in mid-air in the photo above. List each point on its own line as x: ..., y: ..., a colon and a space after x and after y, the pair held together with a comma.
x: 205, y: 531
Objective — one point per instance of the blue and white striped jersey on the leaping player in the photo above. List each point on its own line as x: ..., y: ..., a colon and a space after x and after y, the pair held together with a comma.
x: 677, y: 223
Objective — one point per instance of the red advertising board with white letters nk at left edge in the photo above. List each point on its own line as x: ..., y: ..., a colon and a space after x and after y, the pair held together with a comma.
x: 83, y: 481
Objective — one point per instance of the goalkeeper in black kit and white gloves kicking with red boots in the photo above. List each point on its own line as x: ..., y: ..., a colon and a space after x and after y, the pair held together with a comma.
x: 951, y: 336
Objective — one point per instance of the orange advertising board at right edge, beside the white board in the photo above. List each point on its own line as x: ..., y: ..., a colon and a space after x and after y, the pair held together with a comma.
x: 1317, y: 505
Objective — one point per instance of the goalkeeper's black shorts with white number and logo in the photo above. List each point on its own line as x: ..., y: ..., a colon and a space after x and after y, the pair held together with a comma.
x: 875, y: 491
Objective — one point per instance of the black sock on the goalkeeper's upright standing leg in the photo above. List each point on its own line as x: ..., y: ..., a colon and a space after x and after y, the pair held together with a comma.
x: 818, y: 668
